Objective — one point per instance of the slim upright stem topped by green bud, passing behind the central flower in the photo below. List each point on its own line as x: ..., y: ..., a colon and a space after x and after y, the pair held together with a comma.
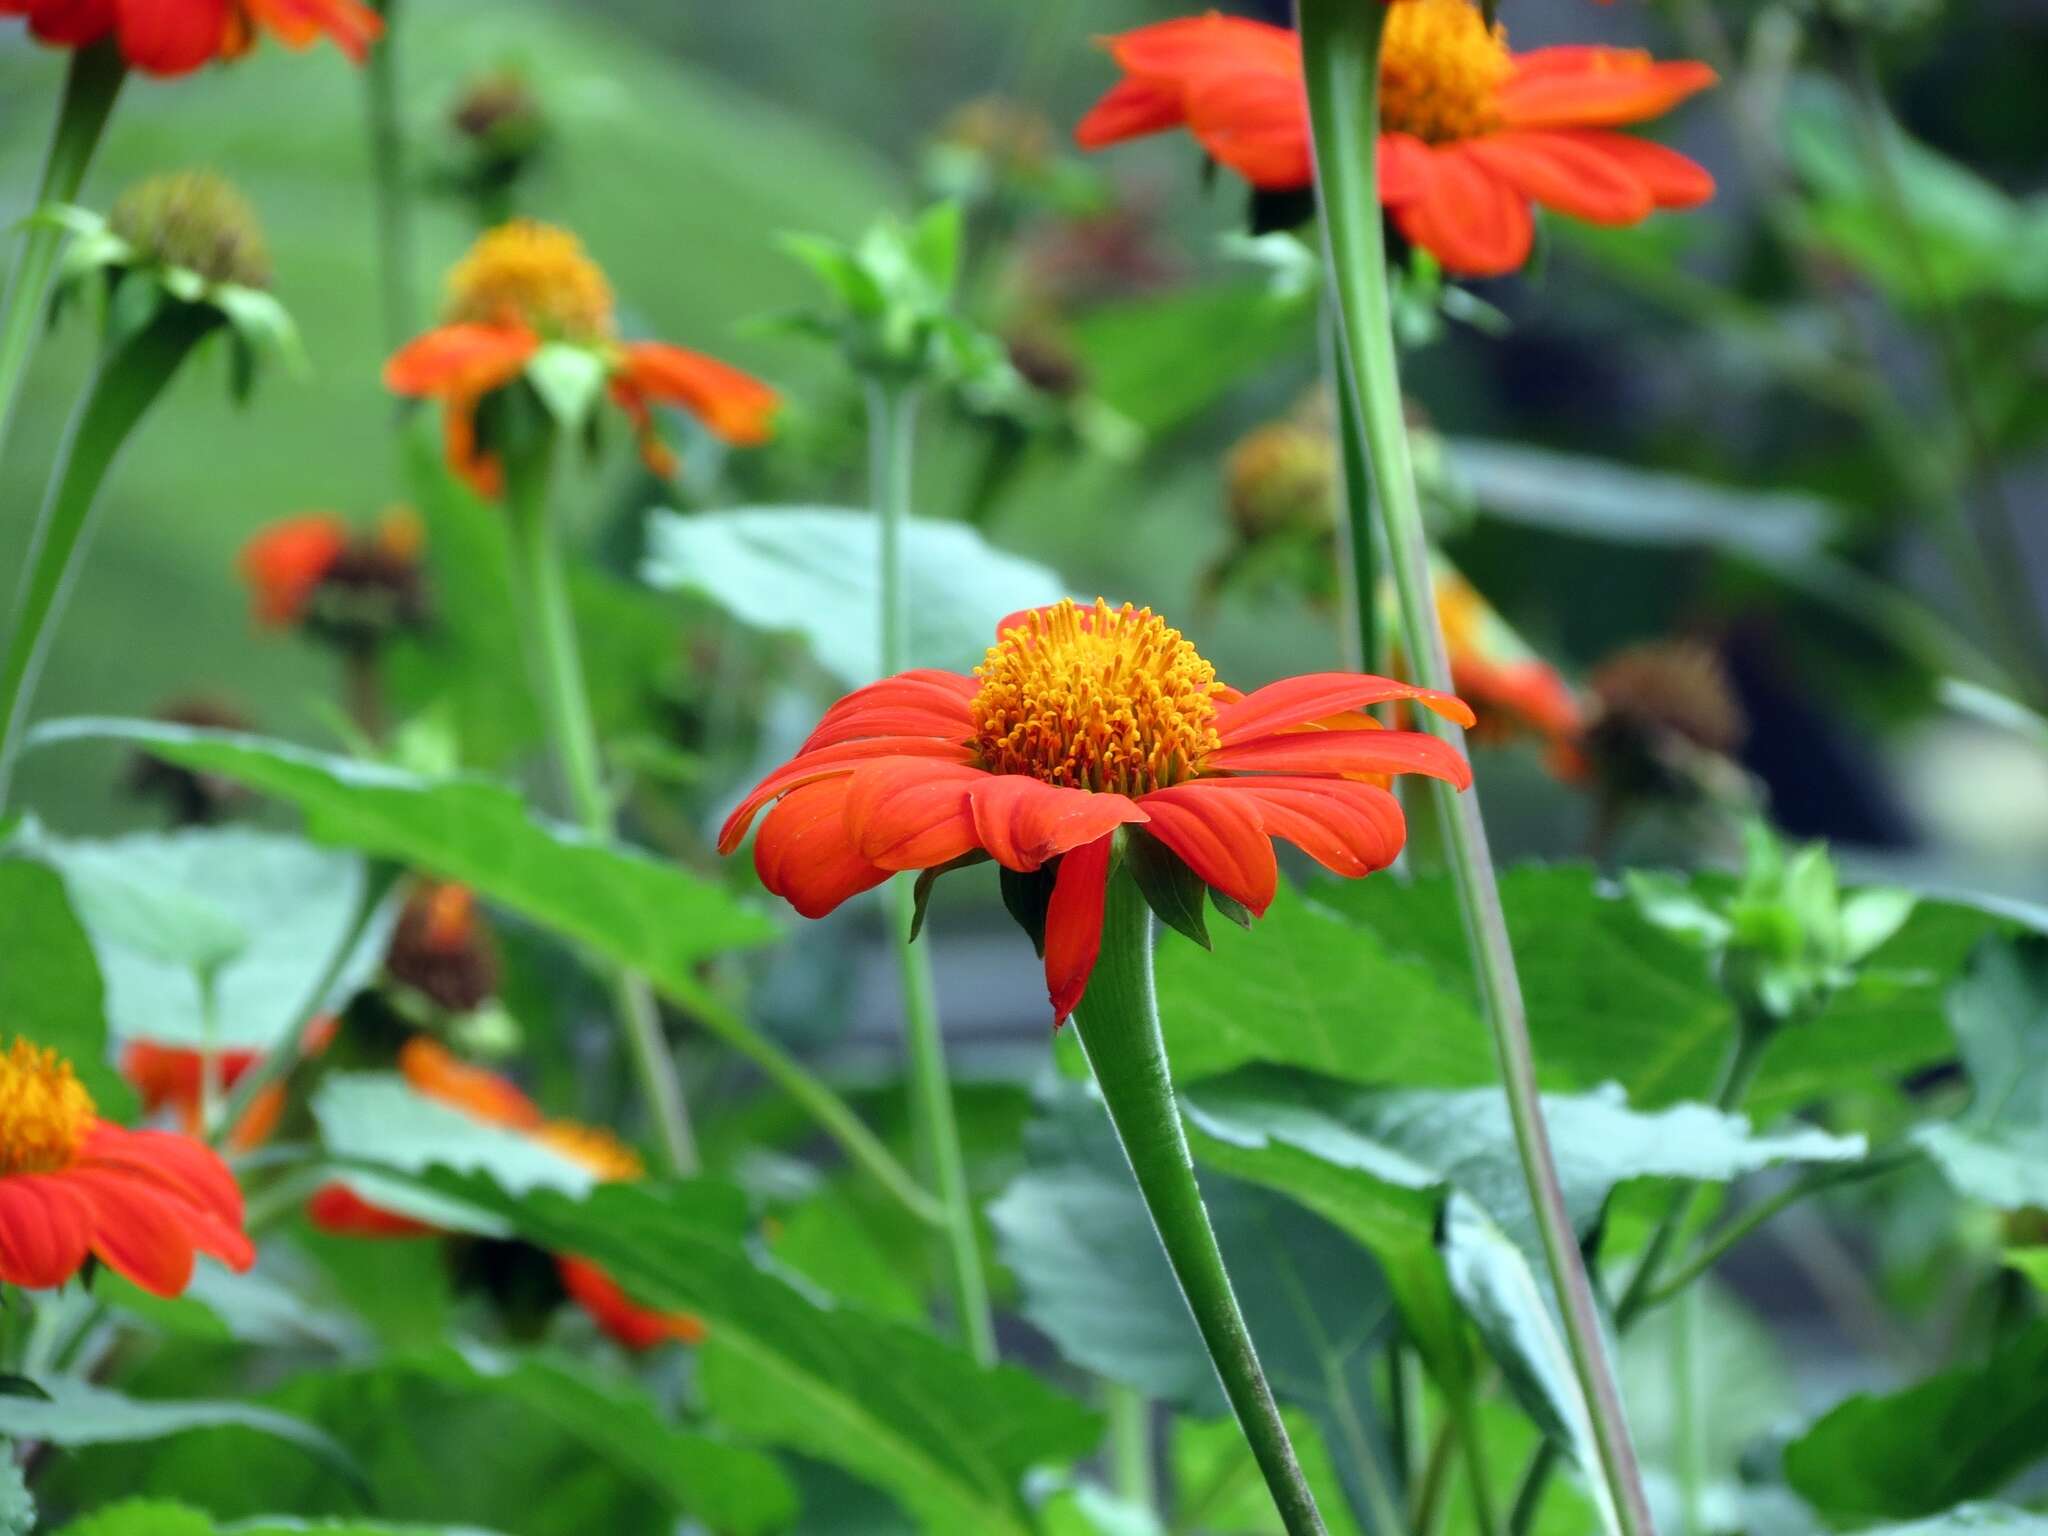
x: 935, y: 1125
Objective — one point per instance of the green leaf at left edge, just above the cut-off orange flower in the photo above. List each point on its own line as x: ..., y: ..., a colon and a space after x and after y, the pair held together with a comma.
x: 50, y: 986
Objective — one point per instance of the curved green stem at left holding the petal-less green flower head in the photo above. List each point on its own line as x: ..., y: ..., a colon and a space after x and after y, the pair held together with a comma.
x: 124, y: 390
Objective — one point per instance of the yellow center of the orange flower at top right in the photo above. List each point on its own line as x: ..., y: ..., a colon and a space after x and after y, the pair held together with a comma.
x: 1441, y: 69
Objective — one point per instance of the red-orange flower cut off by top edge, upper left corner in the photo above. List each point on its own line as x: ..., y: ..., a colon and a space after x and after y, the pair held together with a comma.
x: 169, y: 38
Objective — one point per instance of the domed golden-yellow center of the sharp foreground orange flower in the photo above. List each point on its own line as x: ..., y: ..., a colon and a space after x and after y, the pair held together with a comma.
x: 1103, y: 699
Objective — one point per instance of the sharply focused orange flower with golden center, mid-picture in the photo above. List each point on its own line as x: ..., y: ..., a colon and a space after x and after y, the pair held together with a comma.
x: 1080, y: 724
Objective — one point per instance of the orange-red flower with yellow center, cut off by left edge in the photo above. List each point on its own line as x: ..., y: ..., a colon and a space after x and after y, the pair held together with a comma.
x: 75, y: 1187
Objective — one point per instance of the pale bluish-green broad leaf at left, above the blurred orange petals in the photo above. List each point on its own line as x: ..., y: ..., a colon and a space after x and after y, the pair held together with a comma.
x: 271, y: 912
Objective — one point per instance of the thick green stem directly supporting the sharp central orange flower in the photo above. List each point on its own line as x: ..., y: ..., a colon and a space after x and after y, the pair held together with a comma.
x: 1119, y: 1025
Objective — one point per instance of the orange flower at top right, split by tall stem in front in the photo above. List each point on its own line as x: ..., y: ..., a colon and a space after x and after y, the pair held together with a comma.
x: 1471, y: 134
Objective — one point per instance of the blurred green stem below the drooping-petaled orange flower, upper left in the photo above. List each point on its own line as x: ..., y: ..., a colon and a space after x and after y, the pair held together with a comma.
x: 574, y: 742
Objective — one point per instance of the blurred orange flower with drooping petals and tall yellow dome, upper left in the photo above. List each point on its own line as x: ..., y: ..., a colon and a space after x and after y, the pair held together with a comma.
x: 527, y: 286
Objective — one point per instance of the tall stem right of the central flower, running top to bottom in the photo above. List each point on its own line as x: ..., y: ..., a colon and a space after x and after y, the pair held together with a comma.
x: 1340, y: 52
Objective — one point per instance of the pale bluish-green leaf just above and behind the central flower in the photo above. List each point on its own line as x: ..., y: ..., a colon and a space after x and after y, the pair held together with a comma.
x: 814, y: 572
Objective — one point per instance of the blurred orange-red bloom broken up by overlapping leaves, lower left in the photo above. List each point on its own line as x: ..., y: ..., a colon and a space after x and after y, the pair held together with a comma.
x: 497, y: 1101
